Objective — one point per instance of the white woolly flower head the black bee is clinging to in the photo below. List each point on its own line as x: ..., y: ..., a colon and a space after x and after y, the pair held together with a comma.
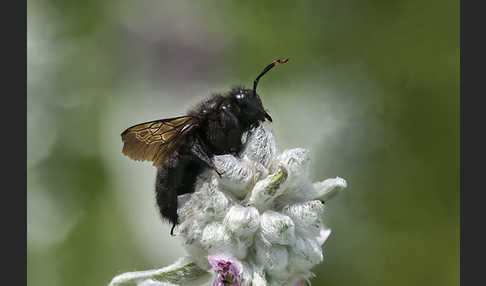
x: 264, y: 212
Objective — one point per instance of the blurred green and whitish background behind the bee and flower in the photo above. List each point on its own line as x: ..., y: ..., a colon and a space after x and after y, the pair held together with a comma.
x: 371, y: 89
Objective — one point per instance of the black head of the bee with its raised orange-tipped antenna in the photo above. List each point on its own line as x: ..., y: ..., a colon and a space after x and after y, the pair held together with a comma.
x: 249, y: 101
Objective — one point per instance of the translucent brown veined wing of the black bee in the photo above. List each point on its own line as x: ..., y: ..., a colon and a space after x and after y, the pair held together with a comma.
x: 156, y: 140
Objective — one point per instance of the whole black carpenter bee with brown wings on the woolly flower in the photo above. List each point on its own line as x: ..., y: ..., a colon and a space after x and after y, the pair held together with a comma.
x: 182, y: 147
